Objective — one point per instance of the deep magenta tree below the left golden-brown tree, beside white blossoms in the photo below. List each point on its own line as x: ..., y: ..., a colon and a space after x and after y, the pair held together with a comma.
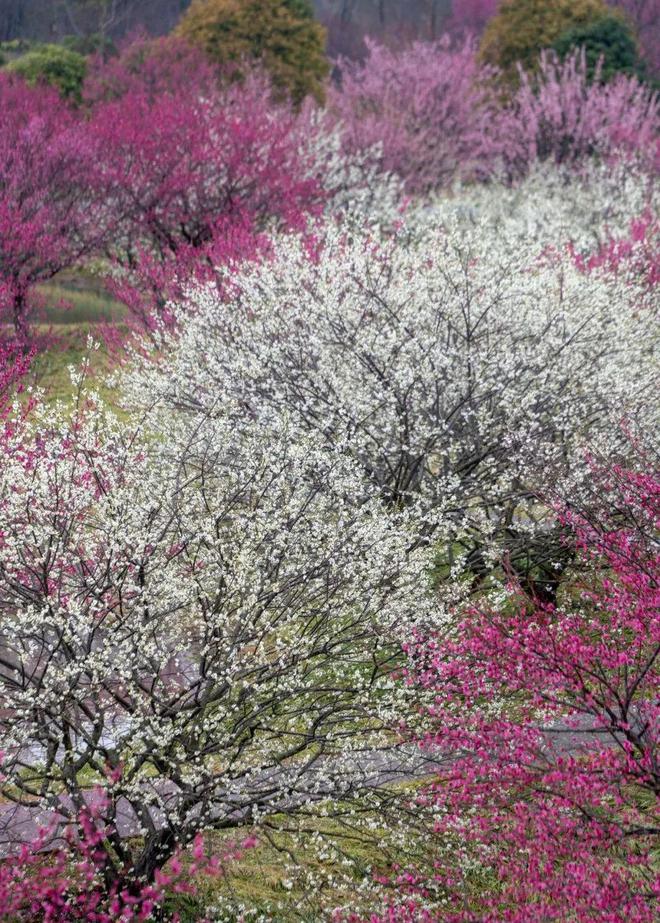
x: 196, y: 179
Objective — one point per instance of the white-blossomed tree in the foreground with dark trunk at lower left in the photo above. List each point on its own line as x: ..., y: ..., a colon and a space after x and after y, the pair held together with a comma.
x: 200, y: 619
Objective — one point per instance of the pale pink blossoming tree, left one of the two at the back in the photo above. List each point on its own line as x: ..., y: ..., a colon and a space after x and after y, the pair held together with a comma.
x: 427, y: 107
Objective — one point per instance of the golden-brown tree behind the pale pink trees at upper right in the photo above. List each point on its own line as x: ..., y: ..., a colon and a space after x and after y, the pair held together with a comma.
x: 523, y: 28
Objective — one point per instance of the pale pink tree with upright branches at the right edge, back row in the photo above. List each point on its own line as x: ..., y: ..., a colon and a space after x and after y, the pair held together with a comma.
x: 560, y: 115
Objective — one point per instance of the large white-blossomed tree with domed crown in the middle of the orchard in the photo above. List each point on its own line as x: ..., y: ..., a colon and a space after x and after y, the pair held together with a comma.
x: 464, y: 373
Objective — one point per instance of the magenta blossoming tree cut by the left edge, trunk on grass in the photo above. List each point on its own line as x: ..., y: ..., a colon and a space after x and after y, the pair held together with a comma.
x: 48, y: 218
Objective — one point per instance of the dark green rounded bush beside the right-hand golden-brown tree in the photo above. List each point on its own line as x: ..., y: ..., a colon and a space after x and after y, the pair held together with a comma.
x: 610, y: 40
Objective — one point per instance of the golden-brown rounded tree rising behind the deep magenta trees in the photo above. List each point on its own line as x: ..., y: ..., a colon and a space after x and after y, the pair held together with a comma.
x: 281, y: 34
